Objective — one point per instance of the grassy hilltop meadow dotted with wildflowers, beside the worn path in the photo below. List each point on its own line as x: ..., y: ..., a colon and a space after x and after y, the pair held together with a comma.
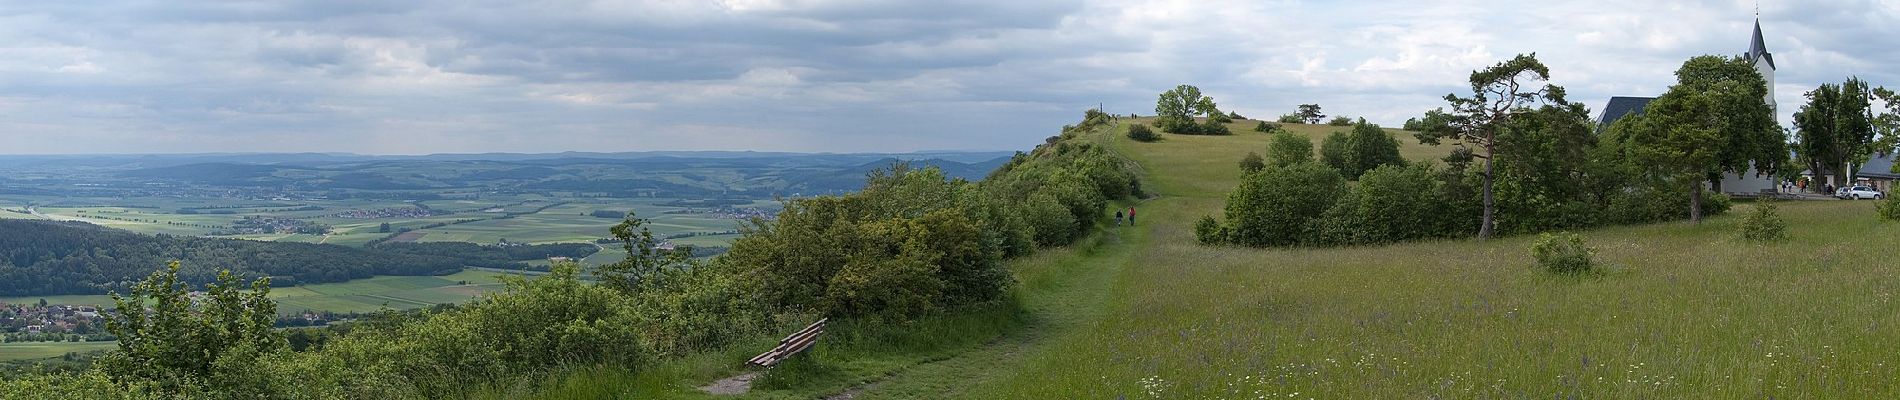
x: 1684, y: 312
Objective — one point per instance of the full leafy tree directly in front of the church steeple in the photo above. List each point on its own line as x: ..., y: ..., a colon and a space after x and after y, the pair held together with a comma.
x: 1715, y: 120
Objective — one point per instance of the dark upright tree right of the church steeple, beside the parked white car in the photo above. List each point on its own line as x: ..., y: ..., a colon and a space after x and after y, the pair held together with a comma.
x: 1836, y: 130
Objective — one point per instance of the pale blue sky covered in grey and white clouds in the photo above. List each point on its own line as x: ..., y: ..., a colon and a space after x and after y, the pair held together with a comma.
x: 455, y: 77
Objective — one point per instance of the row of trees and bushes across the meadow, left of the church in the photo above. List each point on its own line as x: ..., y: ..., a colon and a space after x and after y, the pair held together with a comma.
x: 1525, y: 160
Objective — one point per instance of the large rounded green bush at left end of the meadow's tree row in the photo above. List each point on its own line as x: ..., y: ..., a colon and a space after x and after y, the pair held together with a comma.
x: 1272, y: 208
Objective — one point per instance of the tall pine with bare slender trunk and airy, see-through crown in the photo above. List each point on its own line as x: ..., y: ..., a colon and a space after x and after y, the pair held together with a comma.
x: 1498, y: 94
